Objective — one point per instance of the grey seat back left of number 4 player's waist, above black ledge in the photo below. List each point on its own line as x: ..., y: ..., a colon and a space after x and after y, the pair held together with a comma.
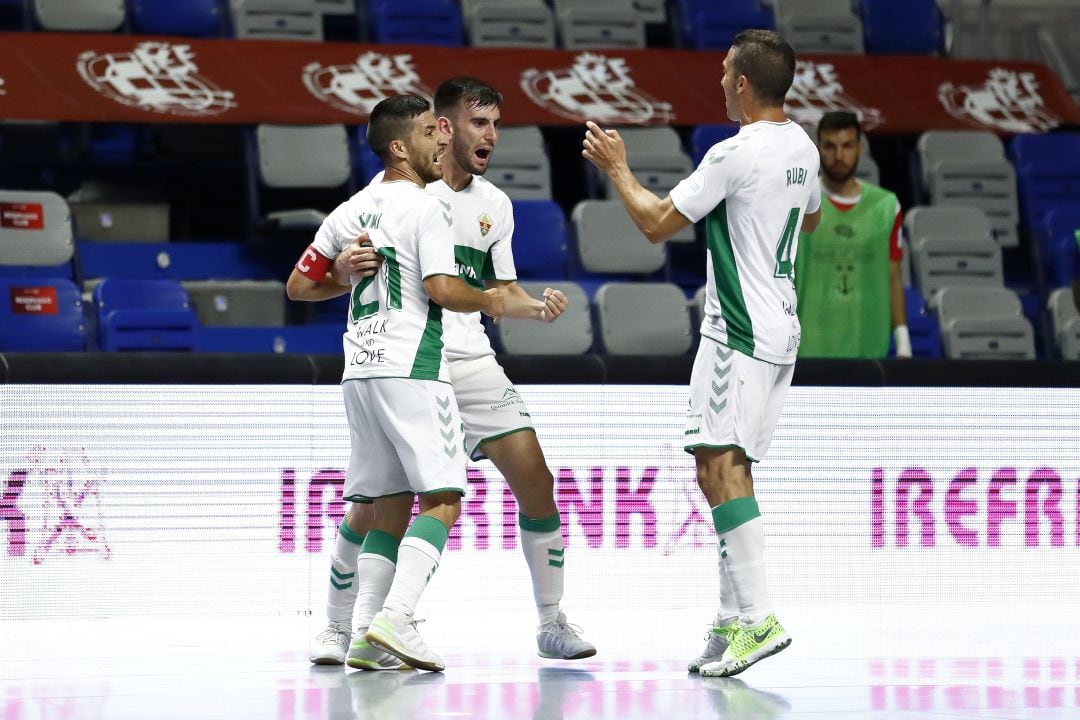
x: 643, y: 319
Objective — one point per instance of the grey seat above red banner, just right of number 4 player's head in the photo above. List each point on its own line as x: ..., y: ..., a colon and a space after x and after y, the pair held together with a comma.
x: 822, y: 26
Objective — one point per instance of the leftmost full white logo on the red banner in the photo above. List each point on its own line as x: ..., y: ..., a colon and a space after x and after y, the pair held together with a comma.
x: 158, y: 77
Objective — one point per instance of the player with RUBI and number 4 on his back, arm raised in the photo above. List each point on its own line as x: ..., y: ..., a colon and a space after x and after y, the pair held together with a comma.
x: 754, y: 192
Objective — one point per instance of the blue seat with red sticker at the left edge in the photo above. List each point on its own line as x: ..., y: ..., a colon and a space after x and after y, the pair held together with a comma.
x: 40, y: 315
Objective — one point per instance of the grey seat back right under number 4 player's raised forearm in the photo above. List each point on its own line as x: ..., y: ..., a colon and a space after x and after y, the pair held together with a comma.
x: 609, y: 242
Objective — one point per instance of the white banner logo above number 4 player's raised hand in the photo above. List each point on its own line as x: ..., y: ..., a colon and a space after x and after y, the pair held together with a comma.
x: 597, y: 88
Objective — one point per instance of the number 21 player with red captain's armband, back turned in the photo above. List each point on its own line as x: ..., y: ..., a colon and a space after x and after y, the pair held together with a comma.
x: 403, y: 418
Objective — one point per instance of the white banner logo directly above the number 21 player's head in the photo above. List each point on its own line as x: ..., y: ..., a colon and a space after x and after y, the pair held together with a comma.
x: 360, y: 87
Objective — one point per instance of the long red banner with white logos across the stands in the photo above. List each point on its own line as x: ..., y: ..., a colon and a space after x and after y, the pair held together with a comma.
x: 121, y: 78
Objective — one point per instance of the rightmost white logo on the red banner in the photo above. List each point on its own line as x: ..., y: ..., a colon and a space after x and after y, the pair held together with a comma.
x: 1007, y: 101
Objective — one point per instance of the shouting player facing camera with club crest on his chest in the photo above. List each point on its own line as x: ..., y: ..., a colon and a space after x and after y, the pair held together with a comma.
x: 497, y: 423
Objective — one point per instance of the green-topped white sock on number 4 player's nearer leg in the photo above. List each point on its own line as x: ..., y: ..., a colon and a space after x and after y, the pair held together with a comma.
x: 741, y: 539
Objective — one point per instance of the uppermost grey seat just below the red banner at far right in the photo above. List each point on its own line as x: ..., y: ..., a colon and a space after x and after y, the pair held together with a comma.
x: 969, y: 168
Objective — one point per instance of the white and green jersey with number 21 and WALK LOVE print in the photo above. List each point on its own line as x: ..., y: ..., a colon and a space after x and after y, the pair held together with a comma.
x: 394, y: 330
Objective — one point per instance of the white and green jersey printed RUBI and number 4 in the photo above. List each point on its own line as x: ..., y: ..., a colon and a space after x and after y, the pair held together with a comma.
x: 753, y: 192
